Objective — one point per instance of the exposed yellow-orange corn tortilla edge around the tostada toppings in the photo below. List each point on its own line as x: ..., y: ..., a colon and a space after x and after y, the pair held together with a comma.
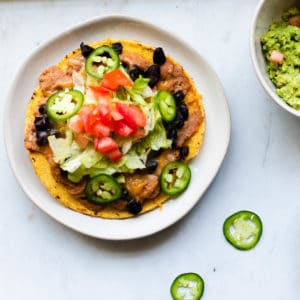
x: 110, y: 211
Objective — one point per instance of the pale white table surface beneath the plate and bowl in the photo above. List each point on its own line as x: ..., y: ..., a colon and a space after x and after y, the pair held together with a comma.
x: 41, y: 259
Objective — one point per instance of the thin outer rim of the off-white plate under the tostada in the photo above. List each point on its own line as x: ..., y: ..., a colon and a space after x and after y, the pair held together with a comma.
x: 78, y: 26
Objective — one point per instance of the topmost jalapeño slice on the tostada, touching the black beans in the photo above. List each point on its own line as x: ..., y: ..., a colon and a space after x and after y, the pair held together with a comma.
x: 102, y: 60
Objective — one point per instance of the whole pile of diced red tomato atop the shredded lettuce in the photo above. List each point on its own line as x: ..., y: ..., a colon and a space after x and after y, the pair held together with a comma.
x: 107, y: 119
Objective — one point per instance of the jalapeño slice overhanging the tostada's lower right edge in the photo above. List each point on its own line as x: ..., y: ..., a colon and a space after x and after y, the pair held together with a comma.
x: 175, y: 178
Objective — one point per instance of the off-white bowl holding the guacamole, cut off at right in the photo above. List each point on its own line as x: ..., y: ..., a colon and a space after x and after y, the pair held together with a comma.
x: 266, y: 13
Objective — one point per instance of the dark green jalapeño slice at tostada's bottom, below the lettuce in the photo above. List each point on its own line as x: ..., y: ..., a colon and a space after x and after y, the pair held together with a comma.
x: 103, y: 189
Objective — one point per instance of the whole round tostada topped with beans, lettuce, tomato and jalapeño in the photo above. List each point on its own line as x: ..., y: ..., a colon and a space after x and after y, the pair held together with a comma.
x: 110, y: 129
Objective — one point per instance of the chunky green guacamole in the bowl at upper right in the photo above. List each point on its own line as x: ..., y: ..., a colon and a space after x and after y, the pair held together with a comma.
x: 284, y: 39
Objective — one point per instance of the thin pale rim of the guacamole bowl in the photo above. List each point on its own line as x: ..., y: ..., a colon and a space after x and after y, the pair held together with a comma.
x: 279, y: 101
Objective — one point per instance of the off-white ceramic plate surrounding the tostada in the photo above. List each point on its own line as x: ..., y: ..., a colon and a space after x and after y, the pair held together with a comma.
x: 204, y: 167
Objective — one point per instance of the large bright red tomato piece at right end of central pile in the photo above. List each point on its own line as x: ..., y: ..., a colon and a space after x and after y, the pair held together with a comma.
x: 132, y: 114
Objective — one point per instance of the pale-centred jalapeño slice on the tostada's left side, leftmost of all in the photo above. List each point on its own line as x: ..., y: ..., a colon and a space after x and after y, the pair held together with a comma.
x: 64, y: 104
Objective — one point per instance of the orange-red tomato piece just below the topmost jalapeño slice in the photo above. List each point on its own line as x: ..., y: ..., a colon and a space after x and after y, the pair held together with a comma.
x: 115, y: 78
